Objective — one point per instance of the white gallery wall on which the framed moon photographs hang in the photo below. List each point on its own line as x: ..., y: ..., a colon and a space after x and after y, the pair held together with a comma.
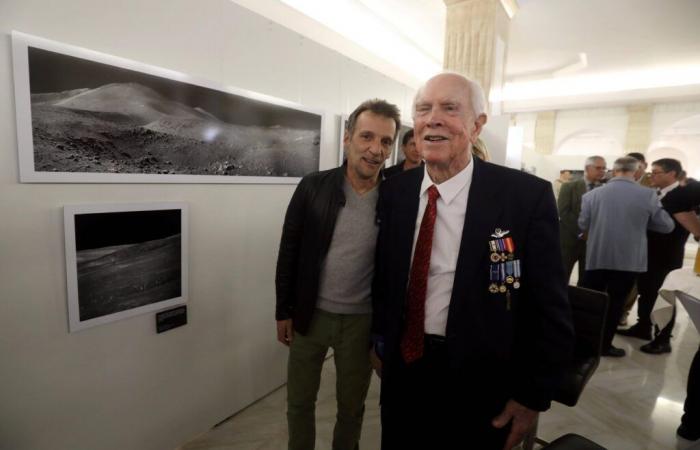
x: 121, y: 385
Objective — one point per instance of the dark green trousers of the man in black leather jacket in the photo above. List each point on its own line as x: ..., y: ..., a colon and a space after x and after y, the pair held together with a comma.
x: 349, y: 336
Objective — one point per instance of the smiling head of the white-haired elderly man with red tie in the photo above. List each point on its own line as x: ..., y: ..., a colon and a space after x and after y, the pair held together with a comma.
x: 445, y: 124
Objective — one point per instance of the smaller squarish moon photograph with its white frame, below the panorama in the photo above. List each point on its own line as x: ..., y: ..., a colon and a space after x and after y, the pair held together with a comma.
x: 124, y: 260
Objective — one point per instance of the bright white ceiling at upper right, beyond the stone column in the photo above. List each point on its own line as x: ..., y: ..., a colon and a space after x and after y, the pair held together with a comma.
x: 616, y: 35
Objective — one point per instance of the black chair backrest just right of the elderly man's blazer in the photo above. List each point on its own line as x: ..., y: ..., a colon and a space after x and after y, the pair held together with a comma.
x: 589, y: 309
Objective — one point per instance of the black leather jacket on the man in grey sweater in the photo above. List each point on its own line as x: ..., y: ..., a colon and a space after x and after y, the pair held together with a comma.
x: 306, y: 237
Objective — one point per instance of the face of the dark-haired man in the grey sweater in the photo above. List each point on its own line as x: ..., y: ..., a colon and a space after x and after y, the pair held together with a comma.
x: 370, y: 144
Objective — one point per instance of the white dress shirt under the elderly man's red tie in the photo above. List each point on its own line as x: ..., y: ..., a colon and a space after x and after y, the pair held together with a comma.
x: 447, y: 237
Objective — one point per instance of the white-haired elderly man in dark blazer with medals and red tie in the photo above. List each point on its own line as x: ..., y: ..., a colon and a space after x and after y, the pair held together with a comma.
x: 471, y: 319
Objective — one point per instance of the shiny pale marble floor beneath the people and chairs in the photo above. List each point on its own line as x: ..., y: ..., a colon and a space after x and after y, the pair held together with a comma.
x: 631, y: 403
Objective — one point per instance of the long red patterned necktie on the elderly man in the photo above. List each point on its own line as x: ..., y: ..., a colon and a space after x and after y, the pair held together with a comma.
x: 414, y: 334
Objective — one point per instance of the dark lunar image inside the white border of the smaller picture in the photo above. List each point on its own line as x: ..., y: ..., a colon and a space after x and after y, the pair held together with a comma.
x: 126, y: 260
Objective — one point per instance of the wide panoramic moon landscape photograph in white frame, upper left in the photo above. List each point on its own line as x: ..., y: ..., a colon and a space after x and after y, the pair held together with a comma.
x: 89, y: 117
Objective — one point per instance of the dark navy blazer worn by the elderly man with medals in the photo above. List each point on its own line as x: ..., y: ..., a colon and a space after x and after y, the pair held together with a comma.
x: 525, y: 342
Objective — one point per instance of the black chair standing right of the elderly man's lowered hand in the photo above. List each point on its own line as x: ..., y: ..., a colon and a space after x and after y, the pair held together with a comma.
x: 589, y: 309
